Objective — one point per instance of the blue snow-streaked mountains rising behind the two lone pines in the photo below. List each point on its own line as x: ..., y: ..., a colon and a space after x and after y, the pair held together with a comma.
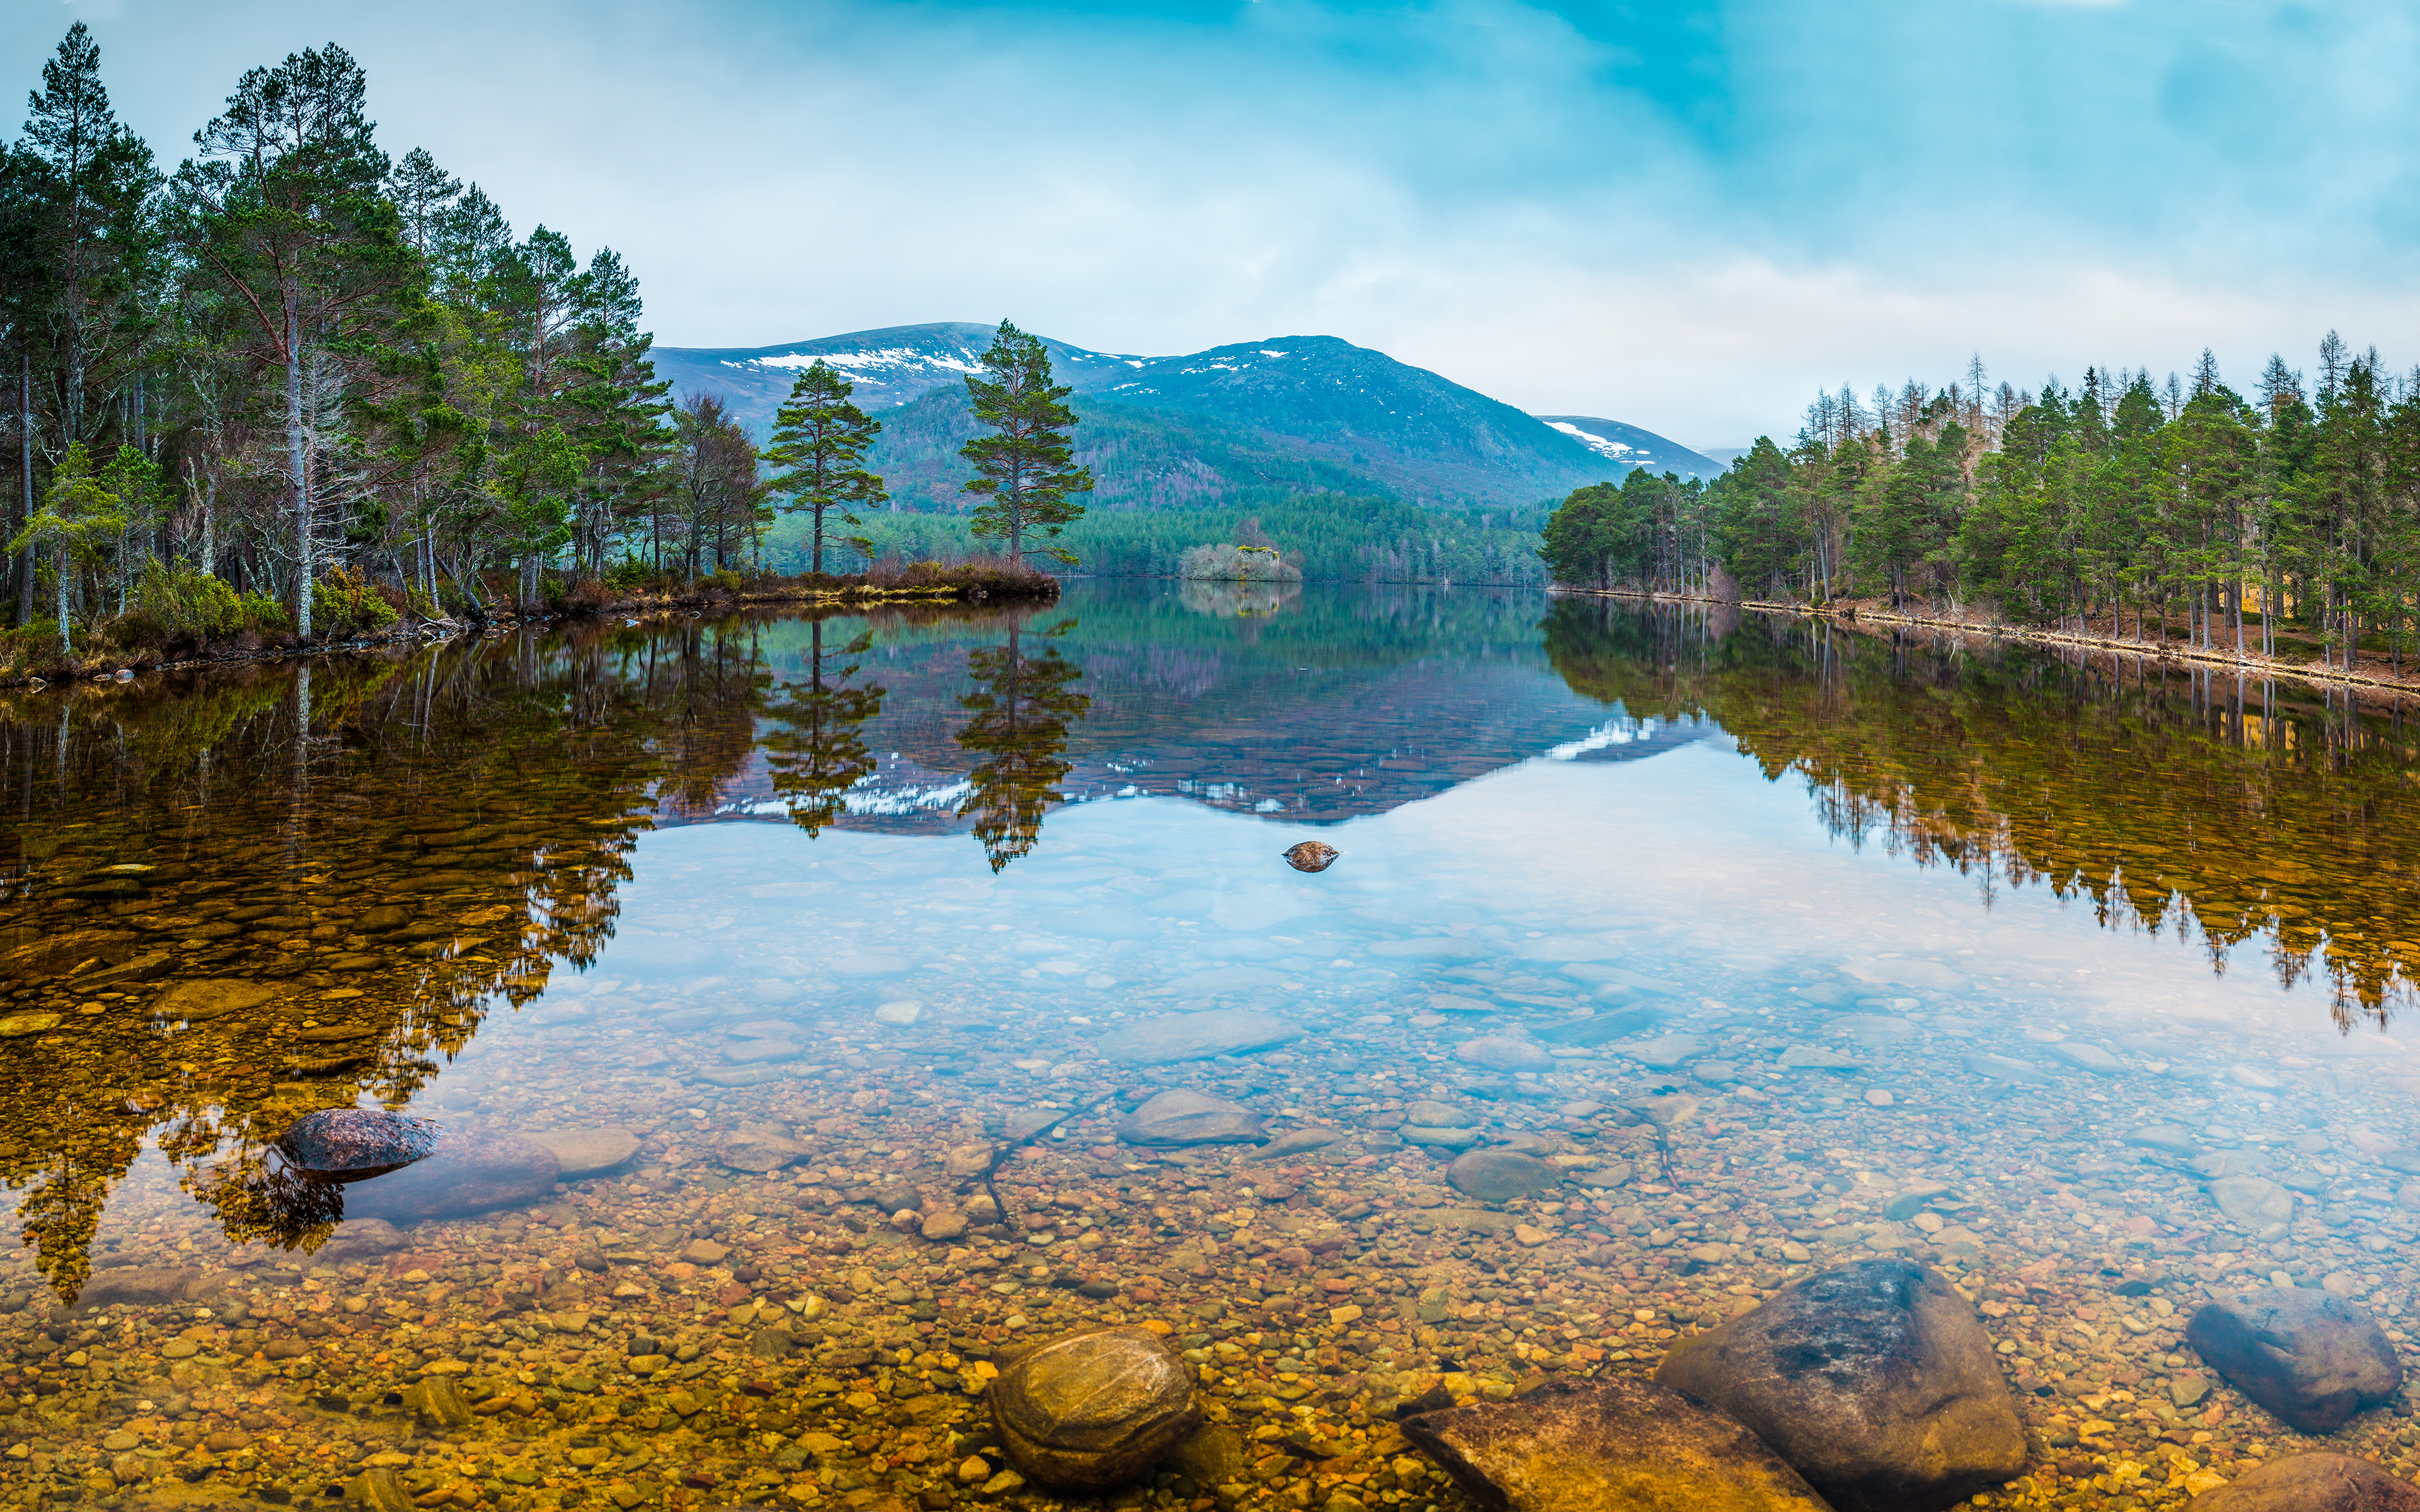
x: 1298, y: 412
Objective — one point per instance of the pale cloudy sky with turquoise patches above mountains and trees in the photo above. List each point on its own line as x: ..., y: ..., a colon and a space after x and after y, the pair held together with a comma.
x: 1681, y: 214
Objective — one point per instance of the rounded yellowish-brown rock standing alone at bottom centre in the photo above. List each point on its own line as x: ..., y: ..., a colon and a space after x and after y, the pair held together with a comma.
x: 1095, y: 1409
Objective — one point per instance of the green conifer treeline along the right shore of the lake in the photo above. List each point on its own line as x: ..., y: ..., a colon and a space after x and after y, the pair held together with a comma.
x: 2128, y: 507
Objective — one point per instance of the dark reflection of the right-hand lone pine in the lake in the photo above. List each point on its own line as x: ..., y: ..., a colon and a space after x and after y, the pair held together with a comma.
x: 1022, y: 710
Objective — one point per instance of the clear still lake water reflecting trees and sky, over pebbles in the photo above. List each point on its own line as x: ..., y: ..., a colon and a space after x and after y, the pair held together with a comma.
x: 759, y: 923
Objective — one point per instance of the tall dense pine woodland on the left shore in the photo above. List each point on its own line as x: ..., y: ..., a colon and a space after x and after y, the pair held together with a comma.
x: 299, y: 383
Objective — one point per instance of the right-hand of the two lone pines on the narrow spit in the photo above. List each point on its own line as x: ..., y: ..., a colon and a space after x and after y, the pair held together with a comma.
x: 1025, y: 466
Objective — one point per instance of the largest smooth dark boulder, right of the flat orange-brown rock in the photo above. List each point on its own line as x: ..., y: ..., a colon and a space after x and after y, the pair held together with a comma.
x: 1874, y: 1380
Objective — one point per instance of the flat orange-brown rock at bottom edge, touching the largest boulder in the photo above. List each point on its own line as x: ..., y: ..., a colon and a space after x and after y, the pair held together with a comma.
x: 1608, y: 1448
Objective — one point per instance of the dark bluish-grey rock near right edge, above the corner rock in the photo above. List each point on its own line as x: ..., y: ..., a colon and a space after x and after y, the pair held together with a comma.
x: 2303, y: 1354
